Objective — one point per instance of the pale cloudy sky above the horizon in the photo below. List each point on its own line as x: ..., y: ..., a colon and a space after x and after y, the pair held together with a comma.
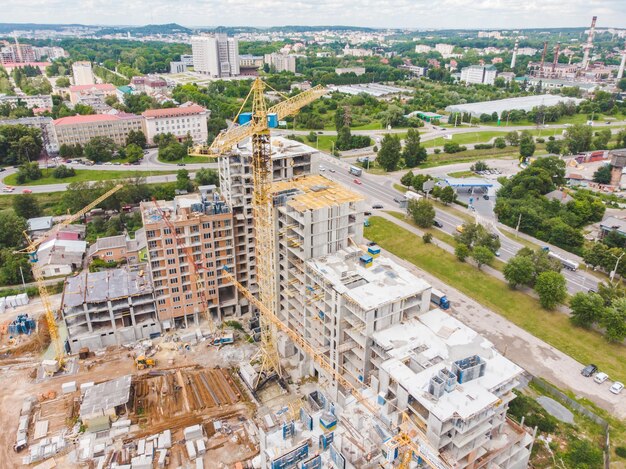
x: 501, y: 14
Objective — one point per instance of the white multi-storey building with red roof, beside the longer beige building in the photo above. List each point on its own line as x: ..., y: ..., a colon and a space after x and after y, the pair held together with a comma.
x: 189, y: 118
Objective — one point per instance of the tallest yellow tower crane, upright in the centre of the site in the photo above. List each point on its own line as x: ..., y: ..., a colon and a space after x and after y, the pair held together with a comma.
x: 258, y: 128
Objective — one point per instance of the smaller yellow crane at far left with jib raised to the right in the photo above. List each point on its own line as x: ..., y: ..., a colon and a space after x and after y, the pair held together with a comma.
x: 31, y: 250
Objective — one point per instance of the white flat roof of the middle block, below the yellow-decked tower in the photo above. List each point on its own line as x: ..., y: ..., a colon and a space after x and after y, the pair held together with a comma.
x: 383, y: 282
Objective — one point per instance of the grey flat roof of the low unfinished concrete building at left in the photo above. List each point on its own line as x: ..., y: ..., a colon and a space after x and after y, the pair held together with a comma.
x: 109, y: 284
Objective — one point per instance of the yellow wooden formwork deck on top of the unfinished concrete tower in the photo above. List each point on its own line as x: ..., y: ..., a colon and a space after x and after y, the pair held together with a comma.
x: 313, y: 192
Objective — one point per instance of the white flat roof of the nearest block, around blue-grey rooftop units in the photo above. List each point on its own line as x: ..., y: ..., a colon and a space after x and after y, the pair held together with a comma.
x: 421, y: 347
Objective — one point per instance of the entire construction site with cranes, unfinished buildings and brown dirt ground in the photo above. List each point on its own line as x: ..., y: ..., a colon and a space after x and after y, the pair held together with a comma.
x: 294, y: 343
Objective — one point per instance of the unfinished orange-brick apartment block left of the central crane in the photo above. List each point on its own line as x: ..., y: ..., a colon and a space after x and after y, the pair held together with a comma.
x: 204, y: 225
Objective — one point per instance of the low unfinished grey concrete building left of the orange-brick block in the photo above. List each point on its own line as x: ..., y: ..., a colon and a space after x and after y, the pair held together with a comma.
x: 112, y: 307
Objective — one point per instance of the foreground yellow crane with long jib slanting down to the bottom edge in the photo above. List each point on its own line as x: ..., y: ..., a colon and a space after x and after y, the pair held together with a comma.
x: 404, y: 443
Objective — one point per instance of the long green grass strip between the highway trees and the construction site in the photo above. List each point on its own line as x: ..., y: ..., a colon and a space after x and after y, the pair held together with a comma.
x: 521, y: 309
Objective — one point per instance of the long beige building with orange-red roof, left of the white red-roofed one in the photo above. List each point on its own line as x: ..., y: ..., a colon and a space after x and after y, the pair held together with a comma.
x: 81, y: 129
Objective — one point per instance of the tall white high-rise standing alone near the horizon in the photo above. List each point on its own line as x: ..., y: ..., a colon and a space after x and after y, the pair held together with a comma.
x: 216, y: 55
